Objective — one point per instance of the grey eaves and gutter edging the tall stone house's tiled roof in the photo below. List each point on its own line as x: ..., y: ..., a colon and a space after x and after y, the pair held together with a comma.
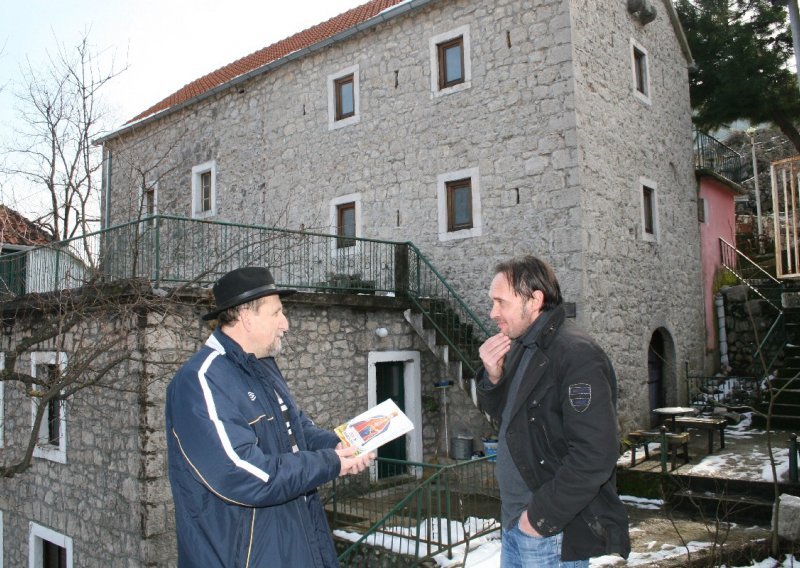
x: 379, y: 18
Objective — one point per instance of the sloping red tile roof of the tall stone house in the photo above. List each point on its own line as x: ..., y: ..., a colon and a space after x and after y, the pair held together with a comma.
x: 271, y: 53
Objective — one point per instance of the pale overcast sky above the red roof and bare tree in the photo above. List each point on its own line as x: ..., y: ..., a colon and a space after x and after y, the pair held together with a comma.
x: 164, y: 43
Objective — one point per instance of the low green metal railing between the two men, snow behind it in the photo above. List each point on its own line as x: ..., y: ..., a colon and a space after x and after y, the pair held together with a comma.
x: 414, y: 512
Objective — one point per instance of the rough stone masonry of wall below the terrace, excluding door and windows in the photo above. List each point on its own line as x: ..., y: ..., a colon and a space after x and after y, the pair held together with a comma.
x: 112, y: 497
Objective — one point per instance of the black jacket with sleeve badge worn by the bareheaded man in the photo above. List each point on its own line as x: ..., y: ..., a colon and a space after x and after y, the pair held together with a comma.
x: 563, y: 438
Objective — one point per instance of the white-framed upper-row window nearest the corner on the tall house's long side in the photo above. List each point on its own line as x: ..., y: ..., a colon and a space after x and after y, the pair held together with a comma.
x: 451, y: 67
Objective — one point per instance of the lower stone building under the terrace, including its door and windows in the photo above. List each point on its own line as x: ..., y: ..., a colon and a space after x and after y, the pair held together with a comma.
x: 97, y: 491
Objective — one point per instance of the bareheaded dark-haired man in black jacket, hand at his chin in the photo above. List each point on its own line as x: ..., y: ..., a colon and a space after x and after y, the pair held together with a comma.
x: 553, y: 391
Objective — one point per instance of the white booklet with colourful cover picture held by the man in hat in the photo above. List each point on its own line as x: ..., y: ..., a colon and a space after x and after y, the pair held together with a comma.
x: 372, y: 429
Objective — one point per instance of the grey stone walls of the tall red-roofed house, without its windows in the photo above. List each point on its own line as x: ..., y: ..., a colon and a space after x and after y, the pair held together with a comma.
x: 549, y: 127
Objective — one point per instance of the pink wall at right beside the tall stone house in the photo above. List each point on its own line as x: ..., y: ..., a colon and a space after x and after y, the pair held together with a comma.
x: 720, y: 221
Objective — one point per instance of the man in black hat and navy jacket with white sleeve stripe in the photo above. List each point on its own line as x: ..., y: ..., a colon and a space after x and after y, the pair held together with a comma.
x: 244, y: 462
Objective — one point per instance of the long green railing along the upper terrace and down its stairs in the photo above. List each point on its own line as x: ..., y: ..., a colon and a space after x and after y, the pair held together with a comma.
x: 174, y: 251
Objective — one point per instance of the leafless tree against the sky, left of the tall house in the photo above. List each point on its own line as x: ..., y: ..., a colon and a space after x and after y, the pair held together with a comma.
x: 60, y: 113
